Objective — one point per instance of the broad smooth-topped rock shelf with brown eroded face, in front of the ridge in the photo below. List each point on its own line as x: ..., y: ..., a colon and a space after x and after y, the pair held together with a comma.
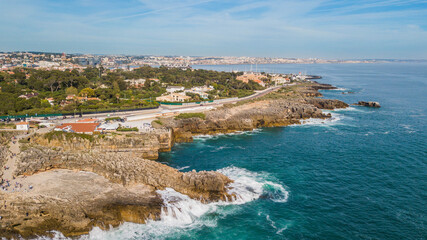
x: 73, y: 203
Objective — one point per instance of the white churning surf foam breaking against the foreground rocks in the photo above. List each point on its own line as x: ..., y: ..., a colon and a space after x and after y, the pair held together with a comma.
x: 181, y: 214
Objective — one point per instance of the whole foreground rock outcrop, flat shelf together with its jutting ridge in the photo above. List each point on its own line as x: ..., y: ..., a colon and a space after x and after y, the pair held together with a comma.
x: 74, y: 191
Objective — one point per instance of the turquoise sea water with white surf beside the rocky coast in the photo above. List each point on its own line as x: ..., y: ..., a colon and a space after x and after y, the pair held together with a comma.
x: 360, y: 175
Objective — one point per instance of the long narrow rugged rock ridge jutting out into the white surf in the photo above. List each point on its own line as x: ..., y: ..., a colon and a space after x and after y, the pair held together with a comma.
x: 126, y: 169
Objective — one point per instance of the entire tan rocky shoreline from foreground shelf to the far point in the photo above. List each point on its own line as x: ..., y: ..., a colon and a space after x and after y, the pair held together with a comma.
x: 82, y: 182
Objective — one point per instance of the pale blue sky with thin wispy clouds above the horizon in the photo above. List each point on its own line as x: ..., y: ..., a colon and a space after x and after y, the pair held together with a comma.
x: 329, y: 29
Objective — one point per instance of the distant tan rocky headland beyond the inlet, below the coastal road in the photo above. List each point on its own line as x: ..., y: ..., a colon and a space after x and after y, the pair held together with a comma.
x: 266, y: 113
